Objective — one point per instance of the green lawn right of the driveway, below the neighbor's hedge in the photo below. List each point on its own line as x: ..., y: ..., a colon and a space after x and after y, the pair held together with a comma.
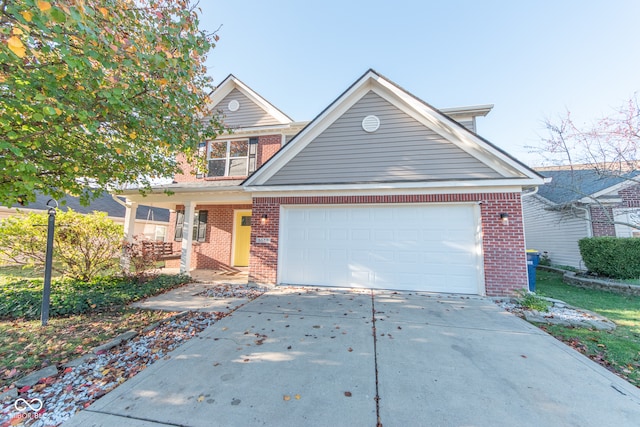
x: 618, y: 350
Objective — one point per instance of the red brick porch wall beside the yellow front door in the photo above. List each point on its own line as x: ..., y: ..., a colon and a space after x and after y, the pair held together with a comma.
x: 215, y: 252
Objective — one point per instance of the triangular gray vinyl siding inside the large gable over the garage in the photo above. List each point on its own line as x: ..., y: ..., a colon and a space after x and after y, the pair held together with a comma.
x: 402, y: 149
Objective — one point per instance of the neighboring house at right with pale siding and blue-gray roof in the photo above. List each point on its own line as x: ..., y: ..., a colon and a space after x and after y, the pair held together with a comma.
x: 576, y: 204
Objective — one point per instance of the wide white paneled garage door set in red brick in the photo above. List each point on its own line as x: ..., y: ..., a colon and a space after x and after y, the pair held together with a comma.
x: 407, y: 247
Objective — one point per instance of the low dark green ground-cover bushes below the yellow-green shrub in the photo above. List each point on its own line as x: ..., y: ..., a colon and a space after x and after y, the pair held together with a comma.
x: 23, y: 298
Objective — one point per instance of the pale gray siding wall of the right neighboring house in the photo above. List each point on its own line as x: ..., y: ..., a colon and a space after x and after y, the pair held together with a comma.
x: 556, y: 232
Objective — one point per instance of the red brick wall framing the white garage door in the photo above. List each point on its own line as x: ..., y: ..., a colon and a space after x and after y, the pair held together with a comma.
x: 503, y: 244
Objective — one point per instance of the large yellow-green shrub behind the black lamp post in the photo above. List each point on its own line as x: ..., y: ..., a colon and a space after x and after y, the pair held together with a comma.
x: 84, y: 245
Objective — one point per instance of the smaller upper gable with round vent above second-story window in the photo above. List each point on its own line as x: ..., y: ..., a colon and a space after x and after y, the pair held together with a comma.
x: 253, y: 110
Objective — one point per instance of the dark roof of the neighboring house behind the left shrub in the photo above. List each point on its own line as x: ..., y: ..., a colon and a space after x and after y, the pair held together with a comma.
x: 104, y: 203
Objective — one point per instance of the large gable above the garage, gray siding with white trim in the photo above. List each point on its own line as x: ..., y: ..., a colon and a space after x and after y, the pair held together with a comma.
x: 417, y: 143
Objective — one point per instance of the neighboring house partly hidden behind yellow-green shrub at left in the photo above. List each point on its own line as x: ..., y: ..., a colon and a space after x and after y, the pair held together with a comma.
x: 150, y: 222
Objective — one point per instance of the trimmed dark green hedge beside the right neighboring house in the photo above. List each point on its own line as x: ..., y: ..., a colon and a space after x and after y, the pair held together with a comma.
x: 615, y: 257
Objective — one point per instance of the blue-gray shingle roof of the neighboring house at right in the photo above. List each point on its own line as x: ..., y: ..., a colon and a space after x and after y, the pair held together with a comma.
x: 568, y: 186
